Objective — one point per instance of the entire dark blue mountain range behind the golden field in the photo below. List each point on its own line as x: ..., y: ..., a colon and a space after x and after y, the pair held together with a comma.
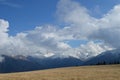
x: 21, y: 63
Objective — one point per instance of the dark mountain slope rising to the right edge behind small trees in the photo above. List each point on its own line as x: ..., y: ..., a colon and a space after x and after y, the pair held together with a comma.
x: 108, y: 57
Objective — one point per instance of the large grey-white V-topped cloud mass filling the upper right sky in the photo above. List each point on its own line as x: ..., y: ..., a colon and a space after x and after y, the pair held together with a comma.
x: 83, y: 26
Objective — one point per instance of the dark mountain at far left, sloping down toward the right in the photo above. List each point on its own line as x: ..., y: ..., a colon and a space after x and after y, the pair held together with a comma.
x: 17, y: 64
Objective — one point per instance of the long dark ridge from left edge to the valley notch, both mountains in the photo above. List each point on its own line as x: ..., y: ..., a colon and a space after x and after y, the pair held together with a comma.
x: 21, y: 63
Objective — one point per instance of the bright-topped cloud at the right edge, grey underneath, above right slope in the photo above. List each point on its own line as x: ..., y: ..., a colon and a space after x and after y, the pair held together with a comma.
x: 109, y: 27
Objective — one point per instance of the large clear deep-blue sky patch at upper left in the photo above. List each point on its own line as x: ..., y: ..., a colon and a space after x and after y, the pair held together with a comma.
x: 27, y: 13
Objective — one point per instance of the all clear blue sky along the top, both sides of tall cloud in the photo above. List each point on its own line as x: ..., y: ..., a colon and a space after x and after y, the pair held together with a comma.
x: 24, y: 15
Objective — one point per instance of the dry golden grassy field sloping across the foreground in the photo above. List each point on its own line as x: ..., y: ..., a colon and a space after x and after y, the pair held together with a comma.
x: 106, y: 72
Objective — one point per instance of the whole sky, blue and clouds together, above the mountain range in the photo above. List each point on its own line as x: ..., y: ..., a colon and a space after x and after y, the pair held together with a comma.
x: 79, y: 28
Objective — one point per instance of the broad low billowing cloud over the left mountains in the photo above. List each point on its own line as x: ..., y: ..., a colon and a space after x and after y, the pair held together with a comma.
x: 40, y: 41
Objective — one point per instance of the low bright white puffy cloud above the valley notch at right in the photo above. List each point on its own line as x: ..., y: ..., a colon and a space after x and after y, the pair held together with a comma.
x: 86, y: 51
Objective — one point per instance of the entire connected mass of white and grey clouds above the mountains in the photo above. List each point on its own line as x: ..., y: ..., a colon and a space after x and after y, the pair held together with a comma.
x: 49, y: 40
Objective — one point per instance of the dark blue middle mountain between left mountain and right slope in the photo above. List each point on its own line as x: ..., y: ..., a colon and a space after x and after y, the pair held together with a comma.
x: 57, y: 62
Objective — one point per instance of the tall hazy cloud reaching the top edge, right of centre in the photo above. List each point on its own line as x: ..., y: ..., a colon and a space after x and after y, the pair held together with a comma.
x: 77, y: 18
